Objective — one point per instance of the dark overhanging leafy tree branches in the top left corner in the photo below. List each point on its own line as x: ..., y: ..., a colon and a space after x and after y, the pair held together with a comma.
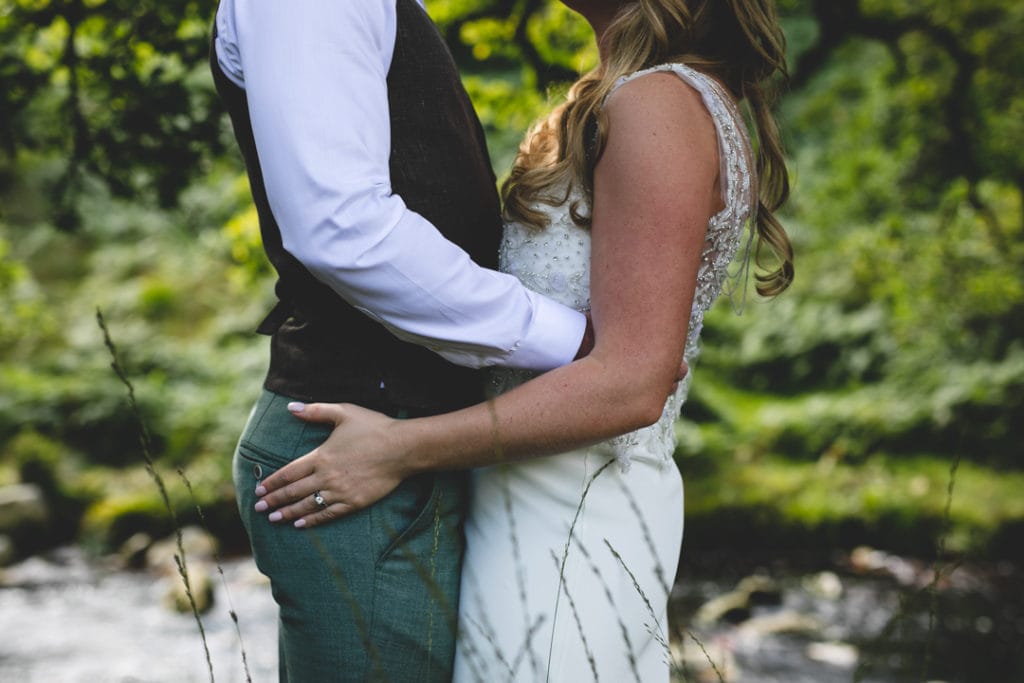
x: 118, y: 89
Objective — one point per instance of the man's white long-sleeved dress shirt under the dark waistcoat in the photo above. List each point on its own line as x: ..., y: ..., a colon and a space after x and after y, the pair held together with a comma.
x: 315, y: 74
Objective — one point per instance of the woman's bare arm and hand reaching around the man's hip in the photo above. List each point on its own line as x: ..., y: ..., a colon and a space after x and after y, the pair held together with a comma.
x: 655, y: 189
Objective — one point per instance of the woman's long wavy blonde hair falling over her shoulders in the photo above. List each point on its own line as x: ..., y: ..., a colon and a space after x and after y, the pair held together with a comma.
x: 738, y: 42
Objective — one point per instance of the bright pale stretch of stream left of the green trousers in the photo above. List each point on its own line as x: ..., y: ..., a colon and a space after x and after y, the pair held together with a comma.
x: 64, y: 620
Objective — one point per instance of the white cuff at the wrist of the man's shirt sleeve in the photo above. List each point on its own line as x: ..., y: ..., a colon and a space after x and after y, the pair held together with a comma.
x: 553, y: 338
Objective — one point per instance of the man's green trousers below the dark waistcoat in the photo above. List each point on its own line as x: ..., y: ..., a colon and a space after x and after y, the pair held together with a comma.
x: 370, y: 597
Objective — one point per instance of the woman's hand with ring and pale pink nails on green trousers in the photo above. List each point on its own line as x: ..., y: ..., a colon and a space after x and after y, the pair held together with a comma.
x: 361, y: 463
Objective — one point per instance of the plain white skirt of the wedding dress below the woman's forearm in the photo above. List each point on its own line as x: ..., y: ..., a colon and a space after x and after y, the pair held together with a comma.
x: 569, y: 568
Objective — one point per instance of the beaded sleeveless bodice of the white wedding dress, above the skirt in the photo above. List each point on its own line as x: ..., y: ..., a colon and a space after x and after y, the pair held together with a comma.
x: 556, y: 262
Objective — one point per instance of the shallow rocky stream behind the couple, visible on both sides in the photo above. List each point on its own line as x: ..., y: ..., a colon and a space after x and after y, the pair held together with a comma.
x: 65, y: 619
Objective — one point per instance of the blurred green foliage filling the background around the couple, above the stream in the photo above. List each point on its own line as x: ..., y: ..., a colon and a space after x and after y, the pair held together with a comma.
x: 824, y: 411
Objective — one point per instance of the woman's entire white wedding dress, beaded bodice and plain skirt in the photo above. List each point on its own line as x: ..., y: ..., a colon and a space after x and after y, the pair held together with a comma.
x: 571, y: 559
